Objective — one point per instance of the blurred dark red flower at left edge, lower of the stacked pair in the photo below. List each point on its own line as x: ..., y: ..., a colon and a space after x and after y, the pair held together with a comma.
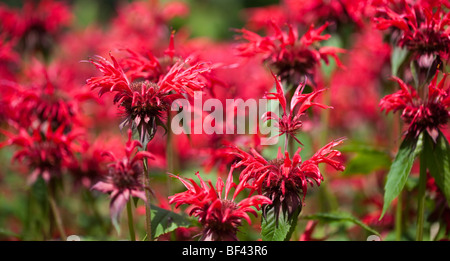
x: 46, y: 152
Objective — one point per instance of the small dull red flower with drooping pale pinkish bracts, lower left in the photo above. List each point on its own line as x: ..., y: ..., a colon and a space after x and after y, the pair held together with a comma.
x: 124, y: 177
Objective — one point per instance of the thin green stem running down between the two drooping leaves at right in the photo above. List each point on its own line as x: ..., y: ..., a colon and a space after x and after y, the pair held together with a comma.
x: 421, y: 198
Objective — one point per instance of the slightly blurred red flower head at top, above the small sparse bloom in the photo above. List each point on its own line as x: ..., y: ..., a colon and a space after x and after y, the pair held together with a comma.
x: 290, y: 56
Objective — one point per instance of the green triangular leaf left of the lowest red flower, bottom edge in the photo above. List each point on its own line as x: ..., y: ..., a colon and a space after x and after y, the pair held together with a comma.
x: 165, y: 221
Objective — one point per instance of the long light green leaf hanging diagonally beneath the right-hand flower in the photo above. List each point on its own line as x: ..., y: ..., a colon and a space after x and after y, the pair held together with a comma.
x: 400, y: 169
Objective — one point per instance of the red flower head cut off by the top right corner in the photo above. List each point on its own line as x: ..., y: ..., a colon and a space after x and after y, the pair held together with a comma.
x: 423, y: 27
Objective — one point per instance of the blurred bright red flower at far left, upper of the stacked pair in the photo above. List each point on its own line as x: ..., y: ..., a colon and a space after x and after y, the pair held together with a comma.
x: 46, y: 94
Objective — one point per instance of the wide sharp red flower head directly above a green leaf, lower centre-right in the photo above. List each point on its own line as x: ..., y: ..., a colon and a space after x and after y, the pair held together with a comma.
x: 284, y: 180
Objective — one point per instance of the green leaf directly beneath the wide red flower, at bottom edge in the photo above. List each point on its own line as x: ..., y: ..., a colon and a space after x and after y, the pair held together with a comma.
x: 271, y: 230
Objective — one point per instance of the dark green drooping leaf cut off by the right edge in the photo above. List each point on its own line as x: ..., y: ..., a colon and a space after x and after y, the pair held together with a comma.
x: 438, y: 161
